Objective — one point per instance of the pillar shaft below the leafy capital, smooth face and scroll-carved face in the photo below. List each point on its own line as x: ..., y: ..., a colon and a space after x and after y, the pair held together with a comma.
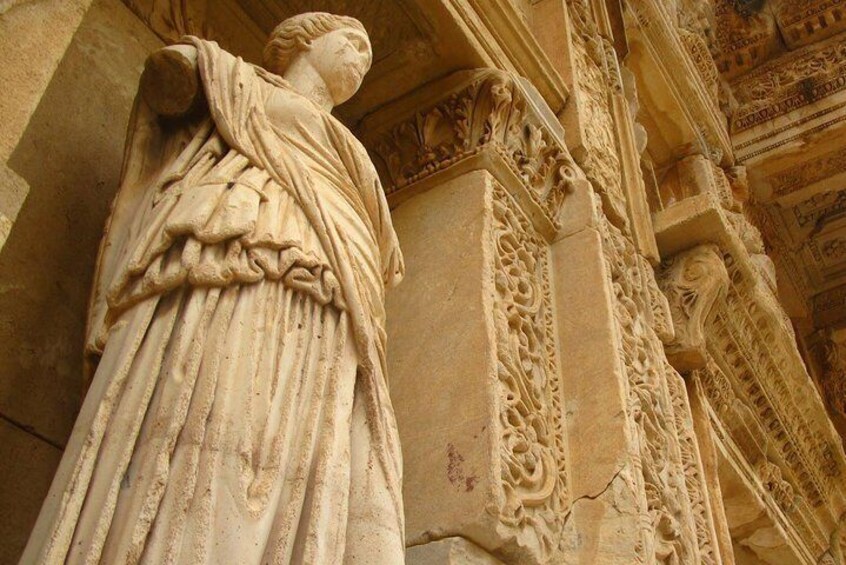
x: 474, y: 378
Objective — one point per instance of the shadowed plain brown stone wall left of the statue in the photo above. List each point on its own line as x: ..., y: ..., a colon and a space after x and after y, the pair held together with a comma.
x: 70, y: 156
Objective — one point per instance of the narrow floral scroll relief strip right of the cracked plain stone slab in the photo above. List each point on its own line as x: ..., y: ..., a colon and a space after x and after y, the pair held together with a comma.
x: 677, y: 529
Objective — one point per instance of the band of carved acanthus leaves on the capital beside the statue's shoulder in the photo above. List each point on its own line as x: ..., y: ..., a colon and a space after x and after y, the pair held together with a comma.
x: 491, y: 112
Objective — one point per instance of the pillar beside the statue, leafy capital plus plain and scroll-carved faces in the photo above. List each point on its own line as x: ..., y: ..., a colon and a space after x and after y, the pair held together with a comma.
x: 477, y: 175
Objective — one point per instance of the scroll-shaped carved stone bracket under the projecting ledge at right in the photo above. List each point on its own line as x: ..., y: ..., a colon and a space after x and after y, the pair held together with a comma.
x: 692, y: 281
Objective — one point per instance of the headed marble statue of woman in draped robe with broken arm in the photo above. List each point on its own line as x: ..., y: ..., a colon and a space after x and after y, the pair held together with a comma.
x: 239, y: 409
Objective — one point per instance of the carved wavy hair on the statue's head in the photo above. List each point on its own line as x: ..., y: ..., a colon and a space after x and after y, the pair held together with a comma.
x: 296, y: 34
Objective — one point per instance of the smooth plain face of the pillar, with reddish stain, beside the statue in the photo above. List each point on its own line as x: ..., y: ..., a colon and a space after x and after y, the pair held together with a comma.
x: 441, y: 360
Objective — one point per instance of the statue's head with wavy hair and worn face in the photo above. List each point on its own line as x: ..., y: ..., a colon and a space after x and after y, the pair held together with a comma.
x: 336, y: 47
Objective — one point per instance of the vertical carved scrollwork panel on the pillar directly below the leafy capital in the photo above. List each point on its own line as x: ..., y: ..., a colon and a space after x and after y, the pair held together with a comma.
x: 534, y: 487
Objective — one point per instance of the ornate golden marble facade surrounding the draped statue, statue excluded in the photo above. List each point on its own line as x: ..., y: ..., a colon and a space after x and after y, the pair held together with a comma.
x: 621, y: 335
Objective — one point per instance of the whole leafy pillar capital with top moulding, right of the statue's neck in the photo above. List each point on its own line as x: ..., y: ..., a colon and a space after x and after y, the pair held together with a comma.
x: 485, y: 114
